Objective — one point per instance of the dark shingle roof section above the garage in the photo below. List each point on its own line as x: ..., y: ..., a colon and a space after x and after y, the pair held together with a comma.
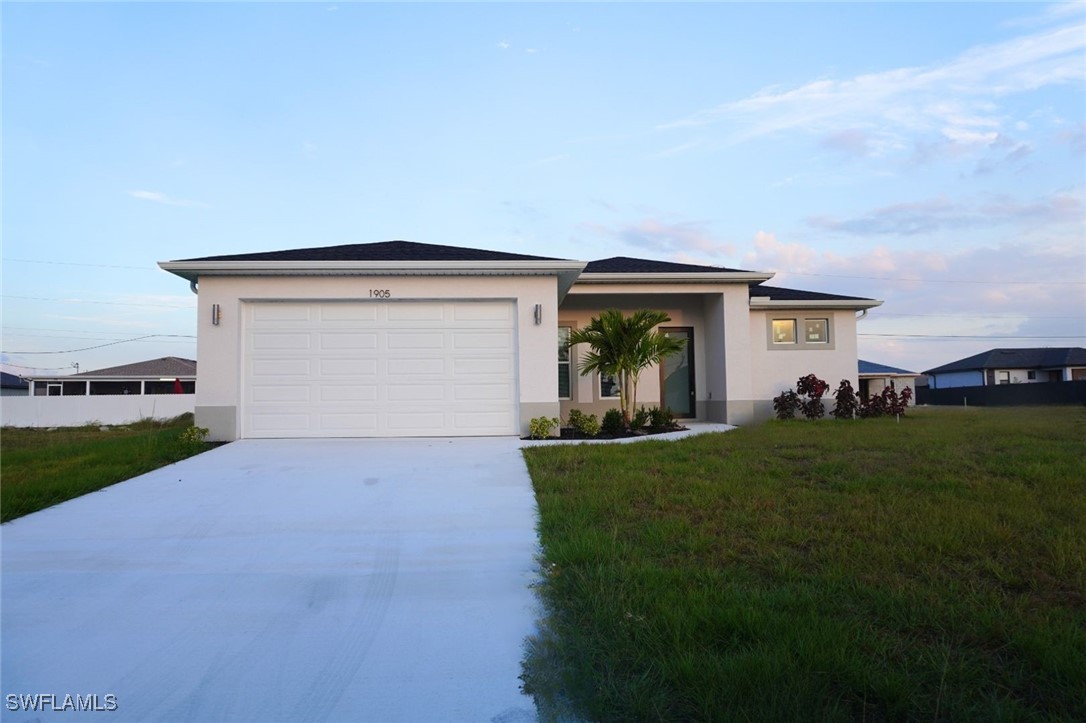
x: 384, y: 251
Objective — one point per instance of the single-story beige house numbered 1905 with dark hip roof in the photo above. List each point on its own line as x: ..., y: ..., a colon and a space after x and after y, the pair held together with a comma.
x: 403, y: 339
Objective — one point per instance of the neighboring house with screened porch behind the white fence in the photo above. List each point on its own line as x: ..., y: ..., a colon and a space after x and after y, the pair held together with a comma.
x: 169, y: 375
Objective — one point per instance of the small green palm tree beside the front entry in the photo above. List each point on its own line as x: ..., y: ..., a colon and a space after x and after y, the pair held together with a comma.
x: 623, y: 347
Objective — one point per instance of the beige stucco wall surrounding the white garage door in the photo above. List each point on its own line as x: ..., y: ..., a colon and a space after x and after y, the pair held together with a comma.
x: 219, y: 348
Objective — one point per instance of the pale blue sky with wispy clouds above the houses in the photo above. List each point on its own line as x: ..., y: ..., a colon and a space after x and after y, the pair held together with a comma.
x: 932, y: 156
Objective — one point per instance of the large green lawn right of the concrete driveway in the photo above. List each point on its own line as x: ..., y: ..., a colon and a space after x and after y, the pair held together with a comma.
x: 929, y: 569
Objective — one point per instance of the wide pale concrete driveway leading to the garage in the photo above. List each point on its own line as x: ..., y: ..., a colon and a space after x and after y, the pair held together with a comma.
x: 324, y: 580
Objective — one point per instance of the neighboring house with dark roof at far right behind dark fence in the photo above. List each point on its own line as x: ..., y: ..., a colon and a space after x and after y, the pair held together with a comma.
x: 1012, y: 366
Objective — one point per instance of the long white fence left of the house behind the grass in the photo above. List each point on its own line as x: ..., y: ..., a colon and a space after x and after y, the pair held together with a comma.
x: 79, y: 411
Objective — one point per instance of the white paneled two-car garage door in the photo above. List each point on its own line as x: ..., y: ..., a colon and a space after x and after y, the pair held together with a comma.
x: 380, y: 370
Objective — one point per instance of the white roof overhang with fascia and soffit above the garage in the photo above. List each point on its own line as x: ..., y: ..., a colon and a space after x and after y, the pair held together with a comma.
x: 567, y: 272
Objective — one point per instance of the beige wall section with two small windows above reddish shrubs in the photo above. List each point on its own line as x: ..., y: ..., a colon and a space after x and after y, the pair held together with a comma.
x: 777, y: 369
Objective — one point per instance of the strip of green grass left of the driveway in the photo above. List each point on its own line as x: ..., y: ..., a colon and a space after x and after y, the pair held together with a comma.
x: 41, y: 468
